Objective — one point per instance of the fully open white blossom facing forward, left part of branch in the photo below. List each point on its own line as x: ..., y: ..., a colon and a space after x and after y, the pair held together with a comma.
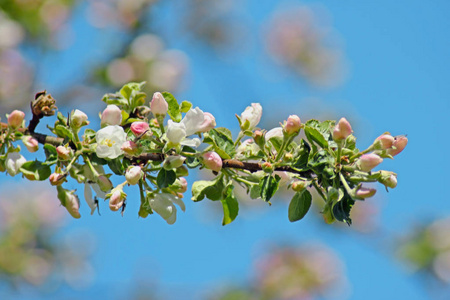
x: 109, y: 141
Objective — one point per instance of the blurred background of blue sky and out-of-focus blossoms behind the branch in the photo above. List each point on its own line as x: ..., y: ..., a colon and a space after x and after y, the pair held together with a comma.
x: 383, y: 65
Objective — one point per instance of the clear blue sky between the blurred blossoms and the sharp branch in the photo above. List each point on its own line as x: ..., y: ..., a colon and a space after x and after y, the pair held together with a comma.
x: 397, y: 55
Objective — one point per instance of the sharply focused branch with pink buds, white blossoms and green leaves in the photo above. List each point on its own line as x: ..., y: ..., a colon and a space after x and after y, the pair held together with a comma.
x: 153, y: 146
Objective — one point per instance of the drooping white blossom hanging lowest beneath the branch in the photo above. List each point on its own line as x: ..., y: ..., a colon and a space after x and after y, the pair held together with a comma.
x: 163, y: 204
